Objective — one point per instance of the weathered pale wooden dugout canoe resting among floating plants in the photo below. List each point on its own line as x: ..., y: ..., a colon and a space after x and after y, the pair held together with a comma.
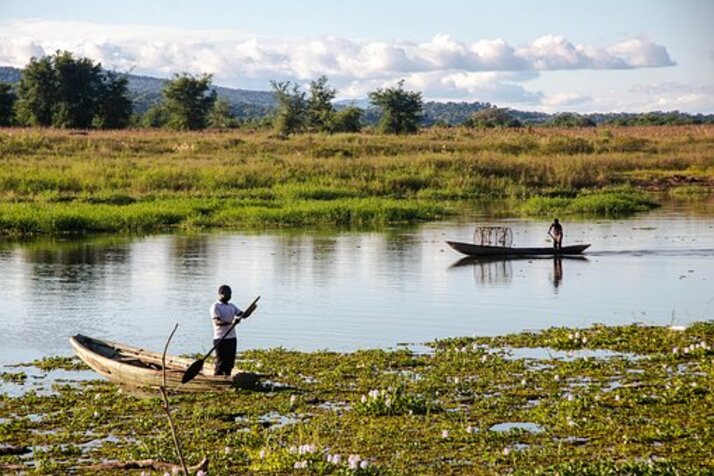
x: 137, y: 367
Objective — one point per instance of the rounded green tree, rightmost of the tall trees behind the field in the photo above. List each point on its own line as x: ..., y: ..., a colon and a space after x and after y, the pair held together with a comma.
x: 401, y: 111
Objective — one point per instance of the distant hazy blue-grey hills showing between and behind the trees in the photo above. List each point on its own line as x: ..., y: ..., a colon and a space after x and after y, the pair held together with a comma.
x: 144, y: 91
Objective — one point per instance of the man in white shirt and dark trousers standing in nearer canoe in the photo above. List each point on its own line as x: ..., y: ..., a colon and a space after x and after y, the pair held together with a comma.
x: 223, y: 314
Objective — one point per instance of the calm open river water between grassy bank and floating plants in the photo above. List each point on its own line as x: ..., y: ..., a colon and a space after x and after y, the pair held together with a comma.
x: 350, y: 290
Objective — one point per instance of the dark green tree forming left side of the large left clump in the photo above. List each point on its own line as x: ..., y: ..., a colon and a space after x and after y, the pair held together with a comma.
x: 37, y: 92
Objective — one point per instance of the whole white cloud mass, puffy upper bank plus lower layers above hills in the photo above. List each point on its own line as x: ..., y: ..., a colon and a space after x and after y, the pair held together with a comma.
x: 442, y: 67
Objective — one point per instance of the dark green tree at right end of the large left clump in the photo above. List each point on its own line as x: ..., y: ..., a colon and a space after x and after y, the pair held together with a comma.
x: 113, y: 108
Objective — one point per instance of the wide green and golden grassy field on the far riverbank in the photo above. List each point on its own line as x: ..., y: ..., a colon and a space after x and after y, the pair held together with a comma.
x: 55, y: 181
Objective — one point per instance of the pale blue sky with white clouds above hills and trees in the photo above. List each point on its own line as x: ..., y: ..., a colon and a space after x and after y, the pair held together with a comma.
x: 546, y: 55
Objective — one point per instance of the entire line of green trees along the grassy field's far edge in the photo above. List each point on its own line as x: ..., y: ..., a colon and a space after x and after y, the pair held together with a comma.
x: 64, y: 91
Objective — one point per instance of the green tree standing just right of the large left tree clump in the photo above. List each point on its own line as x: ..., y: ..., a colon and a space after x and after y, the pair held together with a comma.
x: 188, y: 100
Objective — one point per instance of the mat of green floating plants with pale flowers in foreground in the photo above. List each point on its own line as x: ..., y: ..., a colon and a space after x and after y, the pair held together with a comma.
x: 601, y: 400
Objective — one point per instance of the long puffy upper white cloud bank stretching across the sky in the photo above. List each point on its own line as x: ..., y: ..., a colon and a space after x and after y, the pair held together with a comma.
x: 165, y: 49
